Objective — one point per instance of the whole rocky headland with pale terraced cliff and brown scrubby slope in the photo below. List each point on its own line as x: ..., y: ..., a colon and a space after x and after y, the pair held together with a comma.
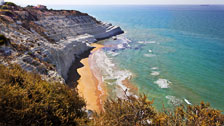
x: 49, y: 41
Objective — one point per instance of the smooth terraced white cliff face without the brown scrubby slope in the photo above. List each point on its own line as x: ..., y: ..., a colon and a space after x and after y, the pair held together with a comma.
x: 71, y: 34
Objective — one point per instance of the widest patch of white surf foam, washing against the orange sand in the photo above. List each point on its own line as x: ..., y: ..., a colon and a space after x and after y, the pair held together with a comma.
x: 103, y: 66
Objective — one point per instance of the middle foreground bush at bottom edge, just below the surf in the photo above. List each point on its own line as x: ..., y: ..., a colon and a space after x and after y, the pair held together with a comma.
x: 127, y: 112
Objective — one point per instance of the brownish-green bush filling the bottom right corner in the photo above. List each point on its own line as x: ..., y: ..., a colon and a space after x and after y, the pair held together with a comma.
x: 197, y: 115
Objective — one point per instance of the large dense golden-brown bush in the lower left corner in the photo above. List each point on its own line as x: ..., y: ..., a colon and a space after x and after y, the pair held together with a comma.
x: 26, y: 99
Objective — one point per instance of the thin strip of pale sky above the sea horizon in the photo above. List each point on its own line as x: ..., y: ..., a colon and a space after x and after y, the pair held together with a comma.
x: 103, y: 2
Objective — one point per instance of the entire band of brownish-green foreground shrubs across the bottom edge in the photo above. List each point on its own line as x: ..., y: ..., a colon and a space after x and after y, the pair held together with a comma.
x: 26, y: 99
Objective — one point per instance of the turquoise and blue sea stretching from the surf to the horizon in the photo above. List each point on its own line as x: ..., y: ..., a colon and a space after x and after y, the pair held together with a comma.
x: 175, y: 54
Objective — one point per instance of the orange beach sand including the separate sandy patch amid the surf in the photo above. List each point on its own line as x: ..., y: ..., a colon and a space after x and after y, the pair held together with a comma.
x: 90, y: 86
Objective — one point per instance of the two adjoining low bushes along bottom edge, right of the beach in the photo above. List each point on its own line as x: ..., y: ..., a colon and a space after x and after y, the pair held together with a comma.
x: 139, y: 112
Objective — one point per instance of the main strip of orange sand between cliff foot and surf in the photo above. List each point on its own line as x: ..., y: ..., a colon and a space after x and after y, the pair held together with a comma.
x: 87, y: 84
